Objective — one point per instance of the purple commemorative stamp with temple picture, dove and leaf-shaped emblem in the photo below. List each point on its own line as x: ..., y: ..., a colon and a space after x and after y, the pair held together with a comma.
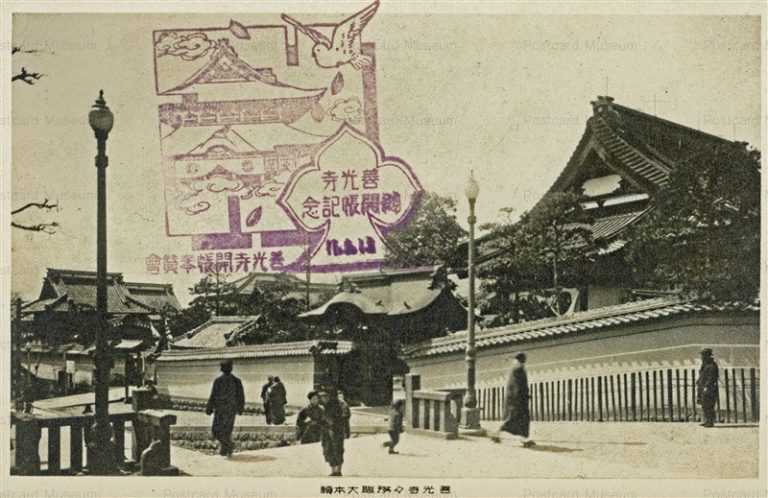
x: 247, y: 113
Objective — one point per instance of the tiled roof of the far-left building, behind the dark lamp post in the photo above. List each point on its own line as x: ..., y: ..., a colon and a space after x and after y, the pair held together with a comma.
x: 63, y: 289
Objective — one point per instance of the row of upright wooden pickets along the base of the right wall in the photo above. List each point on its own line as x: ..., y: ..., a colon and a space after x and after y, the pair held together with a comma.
x: 667, y: 395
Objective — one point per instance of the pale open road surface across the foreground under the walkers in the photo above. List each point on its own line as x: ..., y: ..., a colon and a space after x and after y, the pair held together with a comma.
x: 565, y: 450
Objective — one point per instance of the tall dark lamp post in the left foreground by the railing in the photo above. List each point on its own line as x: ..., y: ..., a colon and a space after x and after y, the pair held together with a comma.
x: 102, y: 460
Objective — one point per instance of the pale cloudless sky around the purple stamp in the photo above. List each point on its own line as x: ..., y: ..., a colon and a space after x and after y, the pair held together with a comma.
x: 506, y: 96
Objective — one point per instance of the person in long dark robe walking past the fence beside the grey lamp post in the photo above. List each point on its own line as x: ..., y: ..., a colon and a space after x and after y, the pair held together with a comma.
x: 517, y: 418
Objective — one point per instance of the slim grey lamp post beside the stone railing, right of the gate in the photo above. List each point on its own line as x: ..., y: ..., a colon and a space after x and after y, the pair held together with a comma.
x: 471, y: 413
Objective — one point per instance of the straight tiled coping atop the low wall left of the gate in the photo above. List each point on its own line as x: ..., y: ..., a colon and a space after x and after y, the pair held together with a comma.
x: 301, y: 348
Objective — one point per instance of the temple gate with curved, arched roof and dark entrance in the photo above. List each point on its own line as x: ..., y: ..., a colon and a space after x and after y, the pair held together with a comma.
x: 380, y: 312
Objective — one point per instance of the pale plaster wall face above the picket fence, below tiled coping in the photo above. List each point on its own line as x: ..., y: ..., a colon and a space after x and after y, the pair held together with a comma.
x: 673, y: 343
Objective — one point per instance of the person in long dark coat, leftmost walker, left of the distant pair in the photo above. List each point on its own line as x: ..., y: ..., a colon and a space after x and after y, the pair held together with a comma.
x: 227, y: 400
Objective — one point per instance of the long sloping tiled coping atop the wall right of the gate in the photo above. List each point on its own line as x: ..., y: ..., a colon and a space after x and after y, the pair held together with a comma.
x: 547, y: 328
